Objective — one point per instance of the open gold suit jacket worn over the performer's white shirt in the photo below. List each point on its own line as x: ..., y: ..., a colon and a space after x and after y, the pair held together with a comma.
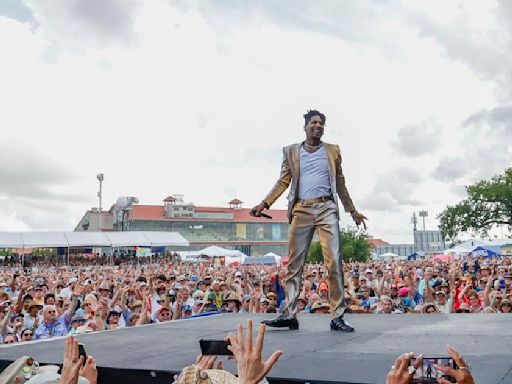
x: 290, y: 170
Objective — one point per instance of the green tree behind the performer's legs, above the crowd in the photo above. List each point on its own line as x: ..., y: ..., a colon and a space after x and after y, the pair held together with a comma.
x: 354, y: 247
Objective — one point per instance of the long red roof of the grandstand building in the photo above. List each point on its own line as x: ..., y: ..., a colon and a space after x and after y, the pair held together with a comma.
x: 156, y: 212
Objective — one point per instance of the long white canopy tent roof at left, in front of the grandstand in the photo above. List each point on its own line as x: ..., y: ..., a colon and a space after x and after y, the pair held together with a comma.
x: 25, y: 240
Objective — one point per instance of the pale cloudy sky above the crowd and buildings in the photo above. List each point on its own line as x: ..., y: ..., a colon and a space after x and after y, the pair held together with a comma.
x: 199, y: 97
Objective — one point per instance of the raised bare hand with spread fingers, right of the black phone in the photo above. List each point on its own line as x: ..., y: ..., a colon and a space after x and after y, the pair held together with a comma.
x: 251, y: 368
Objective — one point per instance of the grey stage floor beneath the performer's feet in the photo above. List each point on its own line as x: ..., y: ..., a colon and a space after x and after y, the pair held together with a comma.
x: 313, y: 353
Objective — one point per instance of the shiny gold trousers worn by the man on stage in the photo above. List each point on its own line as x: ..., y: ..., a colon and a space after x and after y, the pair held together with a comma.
x: 305, y: 219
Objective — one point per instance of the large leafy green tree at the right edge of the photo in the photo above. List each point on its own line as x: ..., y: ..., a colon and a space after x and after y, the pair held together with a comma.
x: 489, y: 203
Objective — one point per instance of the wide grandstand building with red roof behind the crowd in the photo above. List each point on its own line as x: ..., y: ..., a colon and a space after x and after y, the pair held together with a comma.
x: 230, y: 227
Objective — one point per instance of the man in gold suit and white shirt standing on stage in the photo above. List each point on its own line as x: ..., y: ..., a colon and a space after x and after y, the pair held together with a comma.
x: 313, y: 168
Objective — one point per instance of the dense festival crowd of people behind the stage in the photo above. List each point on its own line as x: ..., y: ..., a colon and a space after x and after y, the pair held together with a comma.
x: 48, y: 300
